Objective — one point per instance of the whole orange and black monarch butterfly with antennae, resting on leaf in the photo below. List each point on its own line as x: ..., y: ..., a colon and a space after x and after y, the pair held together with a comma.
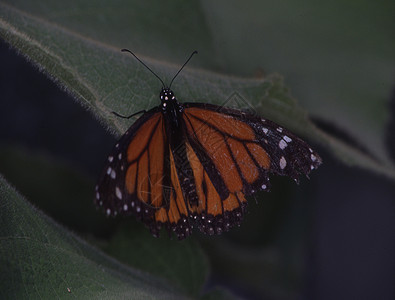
x: 185, y: 165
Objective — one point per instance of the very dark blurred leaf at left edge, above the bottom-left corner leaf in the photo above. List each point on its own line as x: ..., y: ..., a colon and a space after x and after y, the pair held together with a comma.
x: 72, y: 188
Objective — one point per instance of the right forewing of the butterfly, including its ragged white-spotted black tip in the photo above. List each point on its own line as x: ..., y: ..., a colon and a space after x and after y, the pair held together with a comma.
x: 253, y: 145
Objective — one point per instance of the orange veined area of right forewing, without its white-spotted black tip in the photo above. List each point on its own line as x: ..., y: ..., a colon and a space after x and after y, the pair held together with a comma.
x: 232, y: 146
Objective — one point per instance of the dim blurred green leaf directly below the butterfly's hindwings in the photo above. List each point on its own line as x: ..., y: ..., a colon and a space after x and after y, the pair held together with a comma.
x: 181, y: 262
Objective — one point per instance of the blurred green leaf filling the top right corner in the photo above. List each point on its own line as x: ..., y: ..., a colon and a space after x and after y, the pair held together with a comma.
x: 337, y: 56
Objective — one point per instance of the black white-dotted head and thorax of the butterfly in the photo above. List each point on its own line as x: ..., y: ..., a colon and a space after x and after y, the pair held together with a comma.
x: 171, y: 107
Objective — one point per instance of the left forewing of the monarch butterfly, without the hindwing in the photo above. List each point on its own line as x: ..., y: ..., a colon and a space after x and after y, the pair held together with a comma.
x: 132, y: 179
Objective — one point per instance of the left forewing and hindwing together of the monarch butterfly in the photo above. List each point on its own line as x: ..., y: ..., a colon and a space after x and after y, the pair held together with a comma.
x: 140, y: 178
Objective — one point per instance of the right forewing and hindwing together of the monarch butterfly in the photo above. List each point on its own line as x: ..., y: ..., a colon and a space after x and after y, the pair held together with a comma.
x: 232, y: 154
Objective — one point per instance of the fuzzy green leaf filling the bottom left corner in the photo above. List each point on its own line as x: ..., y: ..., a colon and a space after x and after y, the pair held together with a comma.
x: 40, y: 259
